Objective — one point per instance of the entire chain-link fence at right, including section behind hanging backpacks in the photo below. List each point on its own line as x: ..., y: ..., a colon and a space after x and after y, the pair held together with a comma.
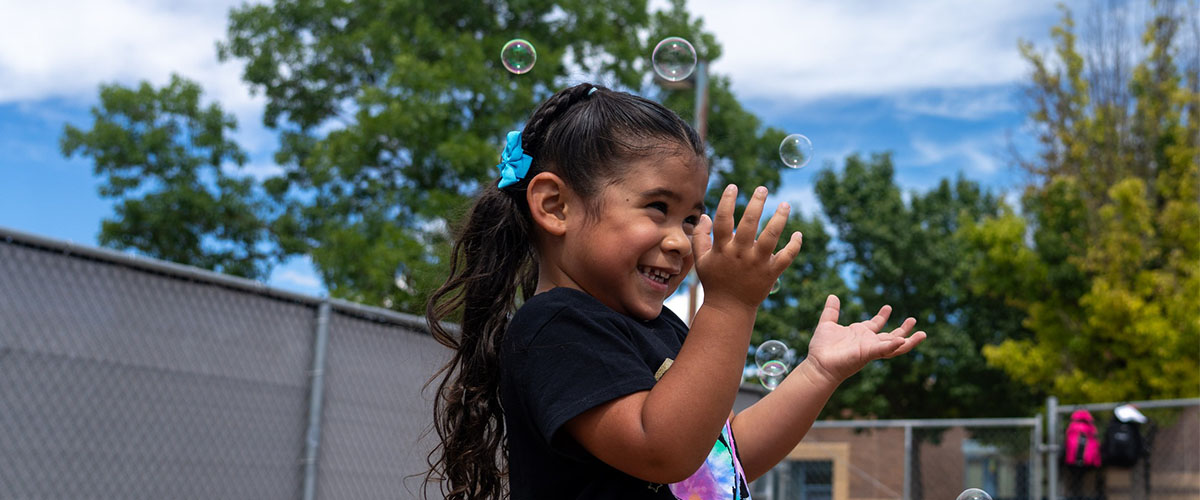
x: 1010, y: 459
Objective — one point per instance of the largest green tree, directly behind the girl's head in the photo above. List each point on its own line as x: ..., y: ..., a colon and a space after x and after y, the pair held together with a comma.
x: 392, y: 115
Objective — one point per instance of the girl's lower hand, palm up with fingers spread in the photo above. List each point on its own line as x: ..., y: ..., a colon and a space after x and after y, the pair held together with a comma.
x: 841, y: 352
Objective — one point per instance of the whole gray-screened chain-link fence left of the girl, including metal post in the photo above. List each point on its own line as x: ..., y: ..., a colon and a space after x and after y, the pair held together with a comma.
x: 131, y: 378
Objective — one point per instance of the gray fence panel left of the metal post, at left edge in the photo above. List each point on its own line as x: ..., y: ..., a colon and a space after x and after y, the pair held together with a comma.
x: 122, y: 383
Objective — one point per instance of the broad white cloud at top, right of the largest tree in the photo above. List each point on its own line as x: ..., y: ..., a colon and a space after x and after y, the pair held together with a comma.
x: 811, y: 51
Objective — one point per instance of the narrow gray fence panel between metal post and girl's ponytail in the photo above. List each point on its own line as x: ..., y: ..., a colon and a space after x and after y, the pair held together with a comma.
x: 375, y: 412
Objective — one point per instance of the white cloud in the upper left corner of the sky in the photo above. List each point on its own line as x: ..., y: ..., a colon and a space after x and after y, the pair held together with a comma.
x: 67, y: 50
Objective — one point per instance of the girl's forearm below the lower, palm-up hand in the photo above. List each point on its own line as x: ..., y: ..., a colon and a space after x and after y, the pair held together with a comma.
x: 771, y: 429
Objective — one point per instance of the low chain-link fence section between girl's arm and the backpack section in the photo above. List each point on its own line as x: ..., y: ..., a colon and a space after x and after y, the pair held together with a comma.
x: 909, y: 460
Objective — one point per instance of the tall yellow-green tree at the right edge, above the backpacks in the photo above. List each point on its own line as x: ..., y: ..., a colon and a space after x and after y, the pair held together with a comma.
x: 1106, y: 258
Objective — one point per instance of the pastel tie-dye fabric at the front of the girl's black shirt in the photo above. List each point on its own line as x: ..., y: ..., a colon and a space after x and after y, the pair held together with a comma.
x: 721, y: 478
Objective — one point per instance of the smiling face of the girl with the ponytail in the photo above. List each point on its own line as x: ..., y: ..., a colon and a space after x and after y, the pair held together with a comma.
x: 637, y: 250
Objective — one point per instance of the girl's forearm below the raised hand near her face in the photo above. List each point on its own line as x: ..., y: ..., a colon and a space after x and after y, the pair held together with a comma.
x: 688, y: 407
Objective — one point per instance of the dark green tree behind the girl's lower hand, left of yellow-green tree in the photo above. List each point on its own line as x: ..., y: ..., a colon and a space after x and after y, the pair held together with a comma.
x: 909, y: 255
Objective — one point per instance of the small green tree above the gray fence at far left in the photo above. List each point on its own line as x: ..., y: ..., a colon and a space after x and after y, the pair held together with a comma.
x: 166, y: 160
